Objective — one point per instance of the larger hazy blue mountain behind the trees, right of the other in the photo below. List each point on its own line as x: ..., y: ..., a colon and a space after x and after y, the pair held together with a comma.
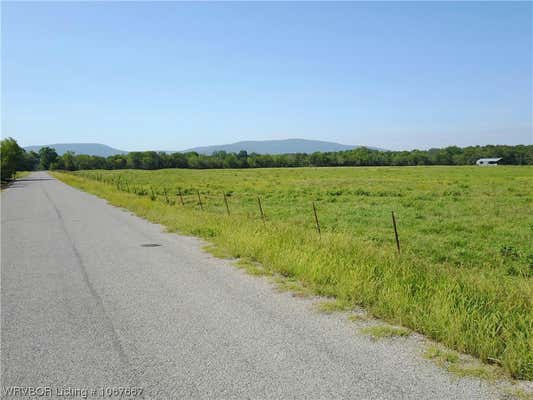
x: 275, y: 147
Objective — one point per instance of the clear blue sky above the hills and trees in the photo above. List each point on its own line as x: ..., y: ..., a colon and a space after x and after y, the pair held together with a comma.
x: 171, y: 76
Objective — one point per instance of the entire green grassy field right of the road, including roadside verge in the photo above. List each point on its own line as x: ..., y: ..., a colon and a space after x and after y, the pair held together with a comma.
x: 465, y: 273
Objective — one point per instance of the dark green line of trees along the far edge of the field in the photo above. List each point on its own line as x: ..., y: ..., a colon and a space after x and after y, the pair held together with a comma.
x: 16, y: 158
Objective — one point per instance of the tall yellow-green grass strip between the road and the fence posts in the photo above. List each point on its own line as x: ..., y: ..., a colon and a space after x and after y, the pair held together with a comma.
x: 481, y: 311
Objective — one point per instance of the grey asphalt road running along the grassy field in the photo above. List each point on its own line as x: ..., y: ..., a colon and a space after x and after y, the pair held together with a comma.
x: 86, y: 306
